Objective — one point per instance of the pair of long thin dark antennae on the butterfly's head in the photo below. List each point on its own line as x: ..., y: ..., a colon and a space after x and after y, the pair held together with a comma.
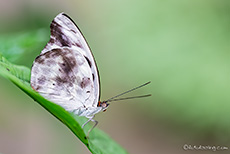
x: 112, y: 98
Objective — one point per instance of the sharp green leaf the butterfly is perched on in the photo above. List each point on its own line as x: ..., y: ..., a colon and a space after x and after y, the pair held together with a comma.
x: 98, y: 142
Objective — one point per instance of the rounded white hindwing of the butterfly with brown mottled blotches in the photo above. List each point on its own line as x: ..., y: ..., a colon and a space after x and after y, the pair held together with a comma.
x: 63, y: 76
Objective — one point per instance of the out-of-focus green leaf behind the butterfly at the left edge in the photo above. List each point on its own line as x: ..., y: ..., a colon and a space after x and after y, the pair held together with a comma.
x: 21, y: 47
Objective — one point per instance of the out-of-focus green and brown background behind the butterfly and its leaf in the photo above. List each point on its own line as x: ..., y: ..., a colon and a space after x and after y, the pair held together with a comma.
x: 182, y: 46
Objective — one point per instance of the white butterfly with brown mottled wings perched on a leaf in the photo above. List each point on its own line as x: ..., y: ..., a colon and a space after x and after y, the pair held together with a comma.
x: 66, y: 73
